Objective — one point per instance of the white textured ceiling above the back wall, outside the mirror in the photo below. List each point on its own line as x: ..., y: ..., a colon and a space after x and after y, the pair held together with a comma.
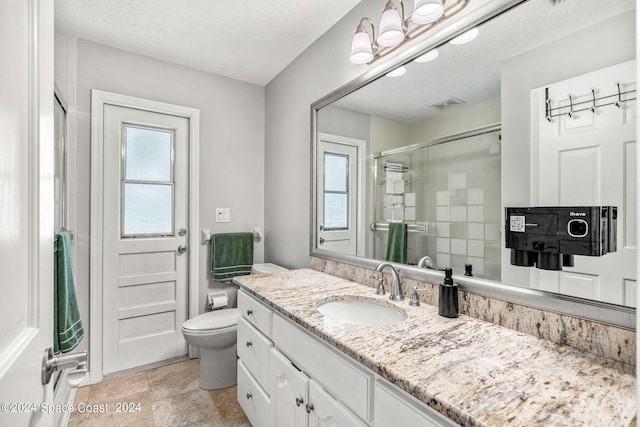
x: 248, y: 40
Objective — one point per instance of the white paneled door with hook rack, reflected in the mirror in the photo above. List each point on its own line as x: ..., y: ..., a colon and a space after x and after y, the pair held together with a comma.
x: 590, y: 159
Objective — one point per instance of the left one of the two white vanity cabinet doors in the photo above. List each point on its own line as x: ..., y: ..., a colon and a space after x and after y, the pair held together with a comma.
x: 288, y: 392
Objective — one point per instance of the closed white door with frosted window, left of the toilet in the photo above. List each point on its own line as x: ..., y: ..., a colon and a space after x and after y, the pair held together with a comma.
x: 145, y: 237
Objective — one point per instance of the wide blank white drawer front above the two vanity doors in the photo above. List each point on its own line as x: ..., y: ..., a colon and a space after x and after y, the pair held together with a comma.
x: 341, y: 377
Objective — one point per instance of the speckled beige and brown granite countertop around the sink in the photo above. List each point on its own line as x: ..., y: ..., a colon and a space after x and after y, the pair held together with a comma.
x: 474, y: 372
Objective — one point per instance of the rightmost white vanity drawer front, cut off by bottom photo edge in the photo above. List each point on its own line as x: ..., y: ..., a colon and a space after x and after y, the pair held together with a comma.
x: 394, y: 407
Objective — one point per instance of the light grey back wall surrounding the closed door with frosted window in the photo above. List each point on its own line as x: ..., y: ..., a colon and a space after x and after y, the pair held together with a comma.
x: 231, y: 140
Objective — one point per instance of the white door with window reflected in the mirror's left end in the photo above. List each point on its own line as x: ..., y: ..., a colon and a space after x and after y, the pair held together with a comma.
x: 340, y: 203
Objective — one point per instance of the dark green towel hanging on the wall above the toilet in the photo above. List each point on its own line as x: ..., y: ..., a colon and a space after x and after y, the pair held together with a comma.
x: 231, y: 255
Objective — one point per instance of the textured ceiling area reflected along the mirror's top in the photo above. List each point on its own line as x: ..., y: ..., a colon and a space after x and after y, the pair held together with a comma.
x: 471, y: 72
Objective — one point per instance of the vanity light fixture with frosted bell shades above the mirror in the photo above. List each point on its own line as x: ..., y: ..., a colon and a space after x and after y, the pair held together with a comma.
x: 396, y: 30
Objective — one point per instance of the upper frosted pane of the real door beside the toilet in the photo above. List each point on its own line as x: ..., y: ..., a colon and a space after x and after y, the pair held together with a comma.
x: 147, y: 154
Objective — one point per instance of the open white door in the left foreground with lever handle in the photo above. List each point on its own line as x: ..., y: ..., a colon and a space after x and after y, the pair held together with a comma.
x: 26, y: 209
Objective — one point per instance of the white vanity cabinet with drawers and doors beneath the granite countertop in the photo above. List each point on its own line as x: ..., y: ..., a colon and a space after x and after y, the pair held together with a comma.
x: 289, y: 378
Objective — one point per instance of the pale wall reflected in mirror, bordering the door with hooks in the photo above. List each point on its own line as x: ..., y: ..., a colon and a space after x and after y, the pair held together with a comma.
x: 569, y: 57
